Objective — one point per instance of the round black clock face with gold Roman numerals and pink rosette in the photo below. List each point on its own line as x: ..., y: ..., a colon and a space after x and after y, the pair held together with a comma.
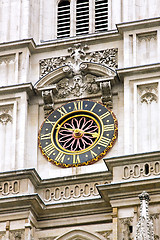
x: 78, y: 133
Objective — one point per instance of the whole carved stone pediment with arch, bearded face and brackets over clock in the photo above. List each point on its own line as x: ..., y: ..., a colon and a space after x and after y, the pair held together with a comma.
x: 79, y: 75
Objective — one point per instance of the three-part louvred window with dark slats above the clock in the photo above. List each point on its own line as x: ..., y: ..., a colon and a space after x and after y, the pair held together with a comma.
x: 77, y: 17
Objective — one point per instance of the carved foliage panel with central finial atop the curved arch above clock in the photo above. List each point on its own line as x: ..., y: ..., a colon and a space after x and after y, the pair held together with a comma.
x: 78, y: 53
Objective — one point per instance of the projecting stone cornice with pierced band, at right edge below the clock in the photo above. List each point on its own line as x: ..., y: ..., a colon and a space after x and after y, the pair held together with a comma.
x: 120, y: 191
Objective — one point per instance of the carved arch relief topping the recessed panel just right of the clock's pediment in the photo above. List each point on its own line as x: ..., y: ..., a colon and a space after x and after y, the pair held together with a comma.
x: 148, y: 93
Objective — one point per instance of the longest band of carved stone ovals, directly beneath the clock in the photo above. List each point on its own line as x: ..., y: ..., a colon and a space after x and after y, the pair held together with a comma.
x: 71, y: 192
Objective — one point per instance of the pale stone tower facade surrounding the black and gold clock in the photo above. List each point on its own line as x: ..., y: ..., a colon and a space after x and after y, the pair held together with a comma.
x: 120, y: 68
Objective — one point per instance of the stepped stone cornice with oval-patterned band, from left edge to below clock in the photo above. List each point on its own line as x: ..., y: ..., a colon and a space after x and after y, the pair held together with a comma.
x: 53, y: 195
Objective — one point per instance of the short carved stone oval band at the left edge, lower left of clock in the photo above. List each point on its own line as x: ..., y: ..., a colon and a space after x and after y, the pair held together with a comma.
x: 12, y: 187
